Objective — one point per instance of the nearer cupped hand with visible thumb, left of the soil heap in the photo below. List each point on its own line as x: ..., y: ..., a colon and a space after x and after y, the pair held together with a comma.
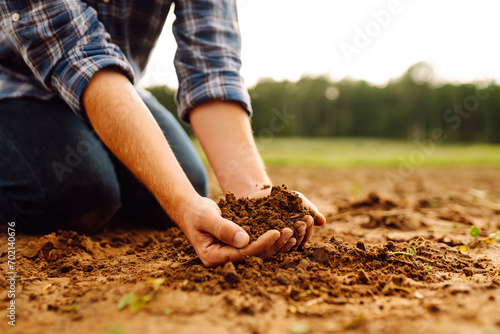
x: 202, y: 223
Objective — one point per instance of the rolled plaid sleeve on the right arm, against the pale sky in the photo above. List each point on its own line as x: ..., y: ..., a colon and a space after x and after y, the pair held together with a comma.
x: 207, y: 60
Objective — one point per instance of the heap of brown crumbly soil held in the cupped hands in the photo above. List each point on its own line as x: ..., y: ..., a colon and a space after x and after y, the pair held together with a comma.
x: 282, y: 208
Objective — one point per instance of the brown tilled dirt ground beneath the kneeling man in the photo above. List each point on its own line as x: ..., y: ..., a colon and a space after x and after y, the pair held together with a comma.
x: 395, y: 256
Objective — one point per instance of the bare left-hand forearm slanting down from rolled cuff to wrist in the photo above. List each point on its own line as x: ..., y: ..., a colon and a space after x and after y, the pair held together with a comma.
x: 125, y: 125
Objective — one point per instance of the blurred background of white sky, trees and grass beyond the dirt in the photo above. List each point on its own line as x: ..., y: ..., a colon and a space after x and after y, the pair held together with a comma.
x: 337, y: 83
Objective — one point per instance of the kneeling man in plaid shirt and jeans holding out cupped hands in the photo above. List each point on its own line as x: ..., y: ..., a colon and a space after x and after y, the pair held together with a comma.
x: 75, y: 131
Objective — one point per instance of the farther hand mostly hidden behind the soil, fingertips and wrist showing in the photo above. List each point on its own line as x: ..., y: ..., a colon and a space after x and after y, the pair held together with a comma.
x: 304, y: 228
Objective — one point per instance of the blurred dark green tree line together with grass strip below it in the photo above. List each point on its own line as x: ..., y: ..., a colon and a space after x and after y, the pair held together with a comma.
x: 320, y: 123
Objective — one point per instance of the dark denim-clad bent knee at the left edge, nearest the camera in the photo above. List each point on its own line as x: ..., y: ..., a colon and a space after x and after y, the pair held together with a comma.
x: 54, y: 172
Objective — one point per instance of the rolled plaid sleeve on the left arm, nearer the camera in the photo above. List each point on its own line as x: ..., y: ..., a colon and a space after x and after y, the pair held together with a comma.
x: 63, y: 43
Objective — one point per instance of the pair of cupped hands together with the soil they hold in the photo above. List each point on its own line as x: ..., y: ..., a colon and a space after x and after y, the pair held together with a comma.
x: 278, y: 223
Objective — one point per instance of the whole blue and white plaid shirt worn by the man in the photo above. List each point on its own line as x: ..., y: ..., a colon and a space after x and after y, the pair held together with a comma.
x: 53, y: 47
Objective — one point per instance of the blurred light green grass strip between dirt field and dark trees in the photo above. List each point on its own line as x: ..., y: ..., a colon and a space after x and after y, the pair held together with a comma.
x: 354, y: 152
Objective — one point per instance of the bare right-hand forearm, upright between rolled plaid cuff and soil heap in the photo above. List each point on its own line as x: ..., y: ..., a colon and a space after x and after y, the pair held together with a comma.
x: 223, y: 129
